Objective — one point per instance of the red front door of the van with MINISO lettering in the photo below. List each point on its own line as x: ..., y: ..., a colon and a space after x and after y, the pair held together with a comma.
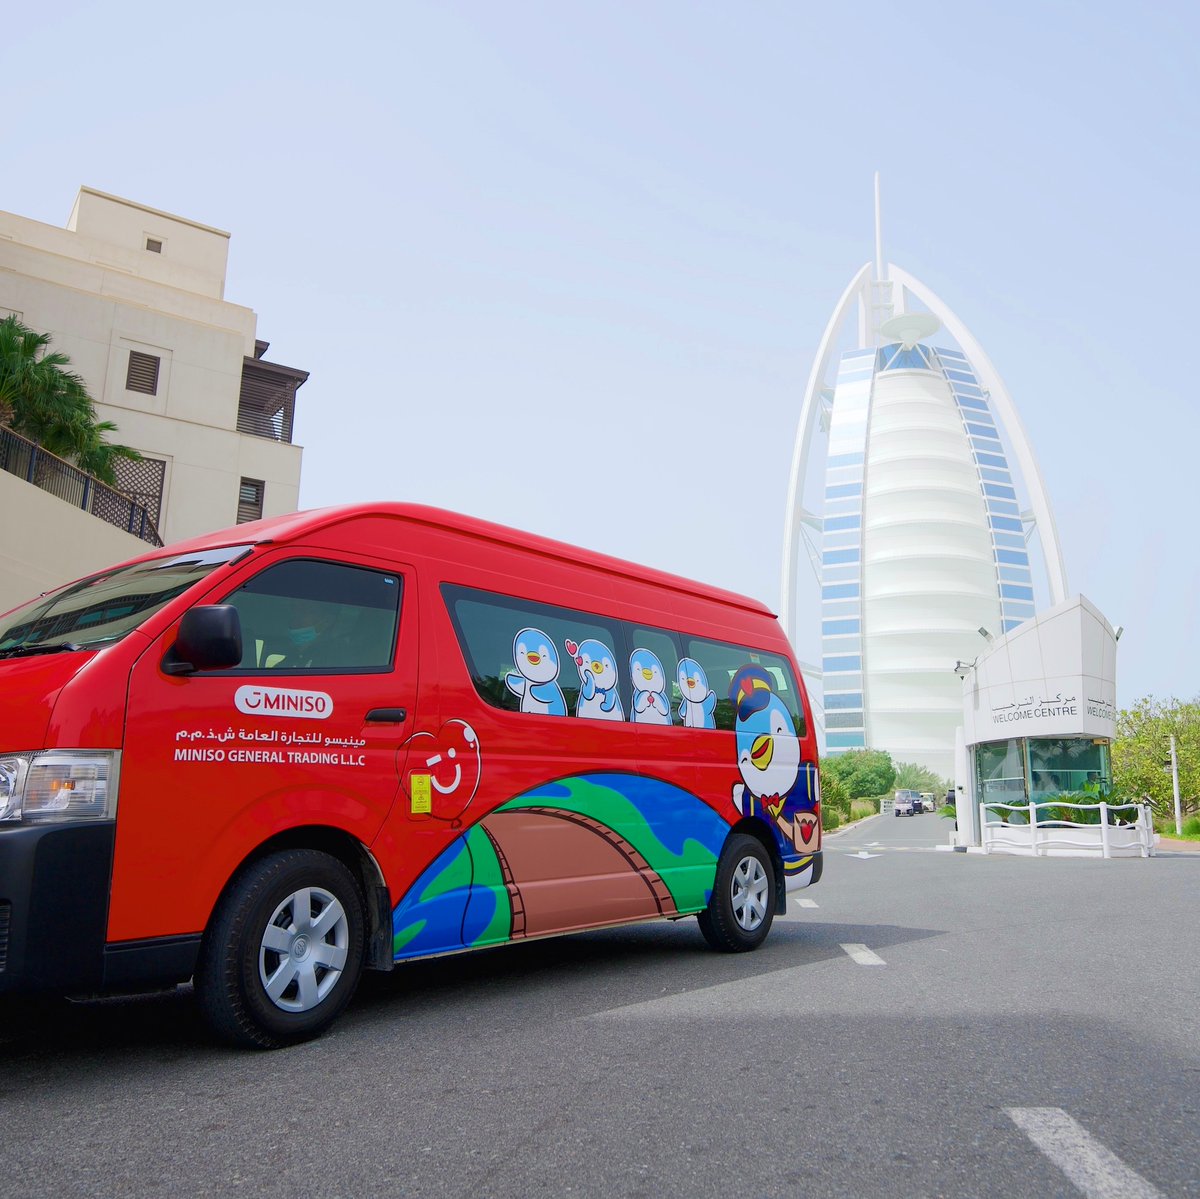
x: 303, y: 734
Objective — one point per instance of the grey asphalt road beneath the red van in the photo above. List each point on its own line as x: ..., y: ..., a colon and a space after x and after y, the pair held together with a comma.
x: 1027, y: 1023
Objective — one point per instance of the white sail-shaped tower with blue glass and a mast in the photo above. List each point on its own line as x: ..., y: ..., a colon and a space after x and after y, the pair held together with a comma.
x: 915, y: 499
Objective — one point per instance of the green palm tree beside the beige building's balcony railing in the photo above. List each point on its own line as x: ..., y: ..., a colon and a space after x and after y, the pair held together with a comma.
x: 45, y: 401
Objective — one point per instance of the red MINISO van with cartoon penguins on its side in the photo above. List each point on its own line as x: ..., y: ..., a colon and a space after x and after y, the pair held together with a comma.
x: 272, y: 757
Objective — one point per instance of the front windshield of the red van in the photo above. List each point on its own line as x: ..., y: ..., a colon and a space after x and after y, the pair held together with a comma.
x: 105, y: 608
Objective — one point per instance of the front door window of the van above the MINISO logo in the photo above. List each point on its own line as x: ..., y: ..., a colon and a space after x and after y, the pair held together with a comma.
x: 307, y: 616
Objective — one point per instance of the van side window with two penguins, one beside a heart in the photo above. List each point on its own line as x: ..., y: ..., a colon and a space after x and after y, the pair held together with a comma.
x: 500, y: 636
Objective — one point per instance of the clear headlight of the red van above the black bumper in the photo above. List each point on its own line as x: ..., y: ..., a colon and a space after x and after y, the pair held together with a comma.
x: 58, y: 786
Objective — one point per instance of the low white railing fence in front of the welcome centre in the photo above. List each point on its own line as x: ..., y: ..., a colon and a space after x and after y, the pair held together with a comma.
x: 1125, y: 830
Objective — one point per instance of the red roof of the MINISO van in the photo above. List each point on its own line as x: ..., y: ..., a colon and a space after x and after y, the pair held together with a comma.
x: 296, y: 526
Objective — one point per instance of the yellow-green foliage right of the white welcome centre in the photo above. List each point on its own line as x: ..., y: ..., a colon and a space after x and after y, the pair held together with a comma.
x: 1142, y: 753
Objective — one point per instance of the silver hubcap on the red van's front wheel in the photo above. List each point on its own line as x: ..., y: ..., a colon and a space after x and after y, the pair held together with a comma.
x: 304, y: 950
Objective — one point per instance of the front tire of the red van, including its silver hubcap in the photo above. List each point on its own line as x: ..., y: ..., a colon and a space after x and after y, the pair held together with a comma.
x: 261, y: 936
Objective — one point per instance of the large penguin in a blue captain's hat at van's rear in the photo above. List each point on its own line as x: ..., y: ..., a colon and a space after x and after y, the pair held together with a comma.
x: 773, y: 784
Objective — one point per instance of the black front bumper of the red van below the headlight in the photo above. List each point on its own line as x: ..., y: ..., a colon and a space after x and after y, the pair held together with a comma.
x: 55, y: 883
